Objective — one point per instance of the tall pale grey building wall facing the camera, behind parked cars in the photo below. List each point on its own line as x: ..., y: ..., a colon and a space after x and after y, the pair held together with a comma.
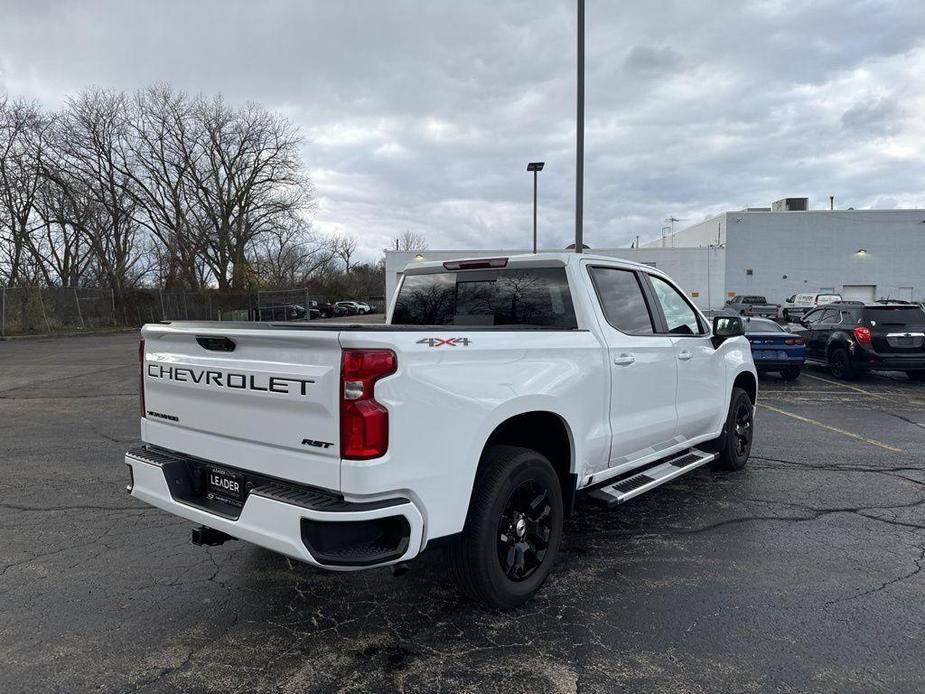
x: 790, y: 252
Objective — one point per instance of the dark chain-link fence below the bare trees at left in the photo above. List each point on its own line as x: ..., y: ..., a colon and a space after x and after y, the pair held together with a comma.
x: 35, y: 311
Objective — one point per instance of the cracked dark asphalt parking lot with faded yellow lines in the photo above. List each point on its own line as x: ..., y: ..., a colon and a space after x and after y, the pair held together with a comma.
x: 804, y: 572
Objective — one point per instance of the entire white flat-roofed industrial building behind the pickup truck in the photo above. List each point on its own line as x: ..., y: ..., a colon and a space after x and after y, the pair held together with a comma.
x: 776, y: 252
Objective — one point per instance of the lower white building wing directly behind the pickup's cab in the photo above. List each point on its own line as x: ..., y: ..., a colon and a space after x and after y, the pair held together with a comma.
x: 690, y: 268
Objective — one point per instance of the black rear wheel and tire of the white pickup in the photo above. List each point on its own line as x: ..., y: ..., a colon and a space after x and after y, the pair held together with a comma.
x: 513, y: 529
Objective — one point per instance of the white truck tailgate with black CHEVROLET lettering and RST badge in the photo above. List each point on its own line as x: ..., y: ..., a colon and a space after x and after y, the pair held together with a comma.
x: 256, y: 398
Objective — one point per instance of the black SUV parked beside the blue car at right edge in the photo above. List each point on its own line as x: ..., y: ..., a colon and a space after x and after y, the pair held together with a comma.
x: 852, y: 337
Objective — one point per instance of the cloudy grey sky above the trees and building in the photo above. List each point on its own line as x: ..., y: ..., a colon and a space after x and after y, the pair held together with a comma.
x: 422, y: 115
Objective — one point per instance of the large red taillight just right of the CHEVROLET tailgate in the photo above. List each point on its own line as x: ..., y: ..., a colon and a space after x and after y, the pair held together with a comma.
x: 364, y: 423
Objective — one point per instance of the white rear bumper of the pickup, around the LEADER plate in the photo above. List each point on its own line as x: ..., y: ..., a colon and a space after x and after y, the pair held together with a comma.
x: 313, y: 526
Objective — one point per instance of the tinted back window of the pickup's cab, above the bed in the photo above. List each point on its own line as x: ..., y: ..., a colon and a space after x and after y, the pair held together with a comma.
x: 536, y: 297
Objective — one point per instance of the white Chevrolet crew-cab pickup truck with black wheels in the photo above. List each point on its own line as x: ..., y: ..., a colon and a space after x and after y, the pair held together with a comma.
x: 496, y: 391
